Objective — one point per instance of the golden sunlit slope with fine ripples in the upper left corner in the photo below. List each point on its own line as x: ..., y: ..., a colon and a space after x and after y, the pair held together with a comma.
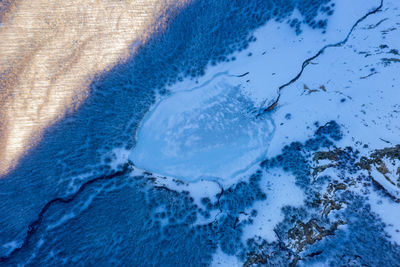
x: 50, y: 50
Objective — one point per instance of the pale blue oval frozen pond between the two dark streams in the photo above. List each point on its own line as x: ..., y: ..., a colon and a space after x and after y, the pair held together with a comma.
x: 208, y: 132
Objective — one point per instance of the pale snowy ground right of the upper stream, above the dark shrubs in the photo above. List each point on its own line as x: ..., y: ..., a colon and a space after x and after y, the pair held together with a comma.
x: 351, y: 84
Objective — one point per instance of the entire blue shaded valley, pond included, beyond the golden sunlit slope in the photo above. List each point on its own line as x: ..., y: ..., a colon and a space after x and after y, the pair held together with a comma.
x: 246, y: 133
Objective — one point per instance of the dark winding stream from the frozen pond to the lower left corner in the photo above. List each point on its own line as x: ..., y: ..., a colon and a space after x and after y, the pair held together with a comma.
x: 34, y: 226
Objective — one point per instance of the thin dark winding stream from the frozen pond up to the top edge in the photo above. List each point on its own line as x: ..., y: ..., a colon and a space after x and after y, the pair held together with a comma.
x: 320, y: 52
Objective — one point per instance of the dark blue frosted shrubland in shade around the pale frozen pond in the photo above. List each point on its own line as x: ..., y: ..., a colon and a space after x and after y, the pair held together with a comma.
x: 130, y: 220
